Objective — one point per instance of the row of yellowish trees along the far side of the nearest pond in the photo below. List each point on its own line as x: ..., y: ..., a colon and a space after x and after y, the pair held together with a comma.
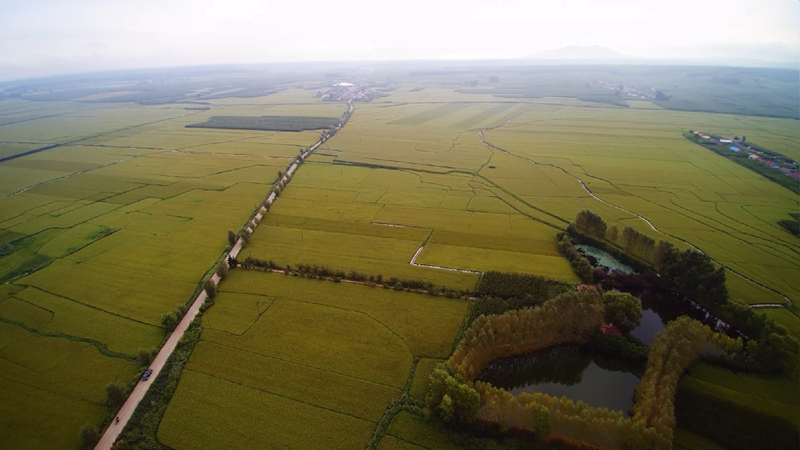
x: 568, y: 318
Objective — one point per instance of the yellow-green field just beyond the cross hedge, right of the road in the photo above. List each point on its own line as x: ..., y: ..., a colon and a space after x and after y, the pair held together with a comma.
x: 374, y: 220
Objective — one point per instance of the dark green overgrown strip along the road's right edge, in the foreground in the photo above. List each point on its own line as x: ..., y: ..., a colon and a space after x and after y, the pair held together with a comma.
x: 142, y: 428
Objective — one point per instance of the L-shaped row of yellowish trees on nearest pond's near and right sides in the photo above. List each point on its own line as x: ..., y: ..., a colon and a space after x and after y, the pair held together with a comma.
x: 561, y: 420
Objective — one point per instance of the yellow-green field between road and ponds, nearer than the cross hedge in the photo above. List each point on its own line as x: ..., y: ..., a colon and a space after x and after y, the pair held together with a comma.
x: 315, y: 366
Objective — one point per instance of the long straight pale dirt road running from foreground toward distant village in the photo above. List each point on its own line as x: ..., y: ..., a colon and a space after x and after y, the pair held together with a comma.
x: 126, y: 411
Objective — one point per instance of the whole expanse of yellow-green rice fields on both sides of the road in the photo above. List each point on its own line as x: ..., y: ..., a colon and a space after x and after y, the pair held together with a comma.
x: 126, y: 208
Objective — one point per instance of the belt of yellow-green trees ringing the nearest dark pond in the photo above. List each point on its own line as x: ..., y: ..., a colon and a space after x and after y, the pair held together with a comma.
x: 454, y: 398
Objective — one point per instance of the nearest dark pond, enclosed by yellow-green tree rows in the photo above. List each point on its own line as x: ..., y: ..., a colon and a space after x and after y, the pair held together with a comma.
x: 568, y: 371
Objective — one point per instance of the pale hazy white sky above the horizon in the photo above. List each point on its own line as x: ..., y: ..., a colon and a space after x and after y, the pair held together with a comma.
x: 49, y: 37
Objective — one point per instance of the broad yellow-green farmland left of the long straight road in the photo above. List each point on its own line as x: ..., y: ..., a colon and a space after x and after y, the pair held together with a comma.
x: 104, y: 233
